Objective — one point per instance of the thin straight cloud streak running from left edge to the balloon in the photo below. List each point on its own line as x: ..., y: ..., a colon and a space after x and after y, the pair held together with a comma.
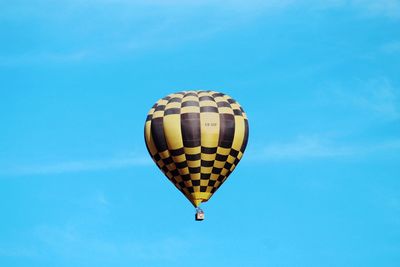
x: 75, y: 166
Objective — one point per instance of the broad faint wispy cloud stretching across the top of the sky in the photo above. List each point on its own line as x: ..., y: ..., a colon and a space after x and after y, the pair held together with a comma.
x: 122, y: 27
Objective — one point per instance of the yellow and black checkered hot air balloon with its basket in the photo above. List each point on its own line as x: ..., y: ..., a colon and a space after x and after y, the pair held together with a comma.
x: 196, y: 138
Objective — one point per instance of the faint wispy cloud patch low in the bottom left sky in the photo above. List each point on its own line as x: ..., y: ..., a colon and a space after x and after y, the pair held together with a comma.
x: 69, y: 241
